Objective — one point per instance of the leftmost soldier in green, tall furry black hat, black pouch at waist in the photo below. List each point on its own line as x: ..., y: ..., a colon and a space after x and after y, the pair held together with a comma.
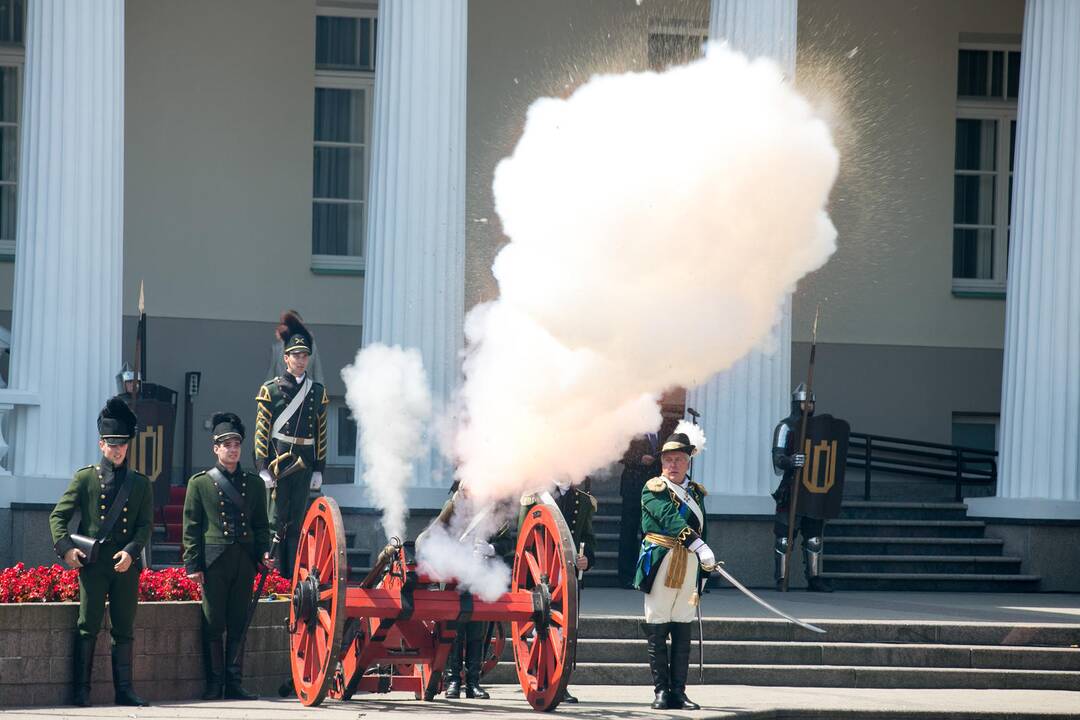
x: 115, y: 507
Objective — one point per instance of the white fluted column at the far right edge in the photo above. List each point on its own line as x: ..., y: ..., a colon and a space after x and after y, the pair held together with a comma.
x: 1039, y: 464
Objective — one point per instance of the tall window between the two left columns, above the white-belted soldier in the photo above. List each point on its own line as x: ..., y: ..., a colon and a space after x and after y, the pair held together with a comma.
x: 345, y: 92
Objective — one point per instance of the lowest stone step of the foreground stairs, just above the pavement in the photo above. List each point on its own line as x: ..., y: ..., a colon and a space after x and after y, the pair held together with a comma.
x: 821, y: 676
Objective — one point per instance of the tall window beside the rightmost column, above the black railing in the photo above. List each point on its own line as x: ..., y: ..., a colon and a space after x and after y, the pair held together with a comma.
x: 988, y: 87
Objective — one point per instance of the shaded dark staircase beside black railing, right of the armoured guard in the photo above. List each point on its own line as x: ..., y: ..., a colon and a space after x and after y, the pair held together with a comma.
x: 917, y: 547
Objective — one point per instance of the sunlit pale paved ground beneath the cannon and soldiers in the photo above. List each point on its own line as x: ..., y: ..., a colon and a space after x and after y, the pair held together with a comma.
x: 606, y: 703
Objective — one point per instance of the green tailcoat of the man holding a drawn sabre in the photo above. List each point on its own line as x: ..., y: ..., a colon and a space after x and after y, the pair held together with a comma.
x: 665, y: 514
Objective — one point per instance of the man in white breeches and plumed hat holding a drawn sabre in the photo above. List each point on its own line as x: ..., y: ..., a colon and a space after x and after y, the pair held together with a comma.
x: 673, y: 523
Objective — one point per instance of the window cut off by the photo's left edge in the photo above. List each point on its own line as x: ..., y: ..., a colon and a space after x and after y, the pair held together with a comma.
x: 12, y: 58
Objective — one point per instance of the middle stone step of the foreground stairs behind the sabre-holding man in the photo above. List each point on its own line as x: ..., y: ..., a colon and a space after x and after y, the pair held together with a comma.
x: 885, y: 655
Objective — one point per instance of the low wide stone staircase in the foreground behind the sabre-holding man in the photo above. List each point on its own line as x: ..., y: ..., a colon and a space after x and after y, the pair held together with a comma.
x: 852, y: 655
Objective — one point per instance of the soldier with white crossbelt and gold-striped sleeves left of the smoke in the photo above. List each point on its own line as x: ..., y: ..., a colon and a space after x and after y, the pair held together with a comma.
x: 291, y: 438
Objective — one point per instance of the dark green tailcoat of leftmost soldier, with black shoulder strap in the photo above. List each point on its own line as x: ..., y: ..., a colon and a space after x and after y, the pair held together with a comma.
x: 87, y: 495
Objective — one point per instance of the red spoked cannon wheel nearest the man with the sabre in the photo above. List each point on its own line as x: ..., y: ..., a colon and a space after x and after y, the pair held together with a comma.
x: 545, y: 647
